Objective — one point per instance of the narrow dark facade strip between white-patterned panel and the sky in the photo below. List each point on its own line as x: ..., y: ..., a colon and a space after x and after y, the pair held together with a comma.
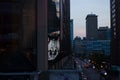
x: 65, y: 28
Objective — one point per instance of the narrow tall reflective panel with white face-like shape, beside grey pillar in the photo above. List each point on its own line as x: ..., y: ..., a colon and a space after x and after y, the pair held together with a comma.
x: 53, y: 29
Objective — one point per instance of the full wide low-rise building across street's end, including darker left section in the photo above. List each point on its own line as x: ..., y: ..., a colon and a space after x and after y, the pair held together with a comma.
x: 86, y: 47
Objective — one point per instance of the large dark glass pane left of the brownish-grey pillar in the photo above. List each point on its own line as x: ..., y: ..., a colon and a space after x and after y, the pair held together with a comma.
x: 17, y: 35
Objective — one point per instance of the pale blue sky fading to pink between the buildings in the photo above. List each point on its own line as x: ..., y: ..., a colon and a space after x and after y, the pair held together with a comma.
x: 81, y: 8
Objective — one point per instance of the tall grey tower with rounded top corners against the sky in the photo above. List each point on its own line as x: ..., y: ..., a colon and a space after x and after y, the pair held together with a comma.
x: 91, y: 26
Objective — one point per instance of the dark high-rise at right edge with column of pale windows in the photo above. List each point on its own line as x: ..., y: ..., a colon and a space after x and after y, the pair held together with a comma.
x: 115, y: 31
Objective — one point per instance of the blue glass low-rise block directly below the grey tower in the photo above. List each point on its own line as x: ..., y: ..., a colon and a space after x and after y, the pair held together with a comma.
x: 98, y: 46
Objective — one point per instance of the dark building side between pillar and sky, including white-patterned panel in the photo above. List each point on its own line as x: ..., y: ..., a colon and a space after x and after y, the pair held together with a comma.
x: 58, y: 30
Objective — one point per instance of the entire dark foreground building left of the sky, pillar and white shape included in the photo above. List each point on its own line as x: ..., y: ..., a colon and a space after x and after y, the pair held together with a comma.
x: 26, y: 27
